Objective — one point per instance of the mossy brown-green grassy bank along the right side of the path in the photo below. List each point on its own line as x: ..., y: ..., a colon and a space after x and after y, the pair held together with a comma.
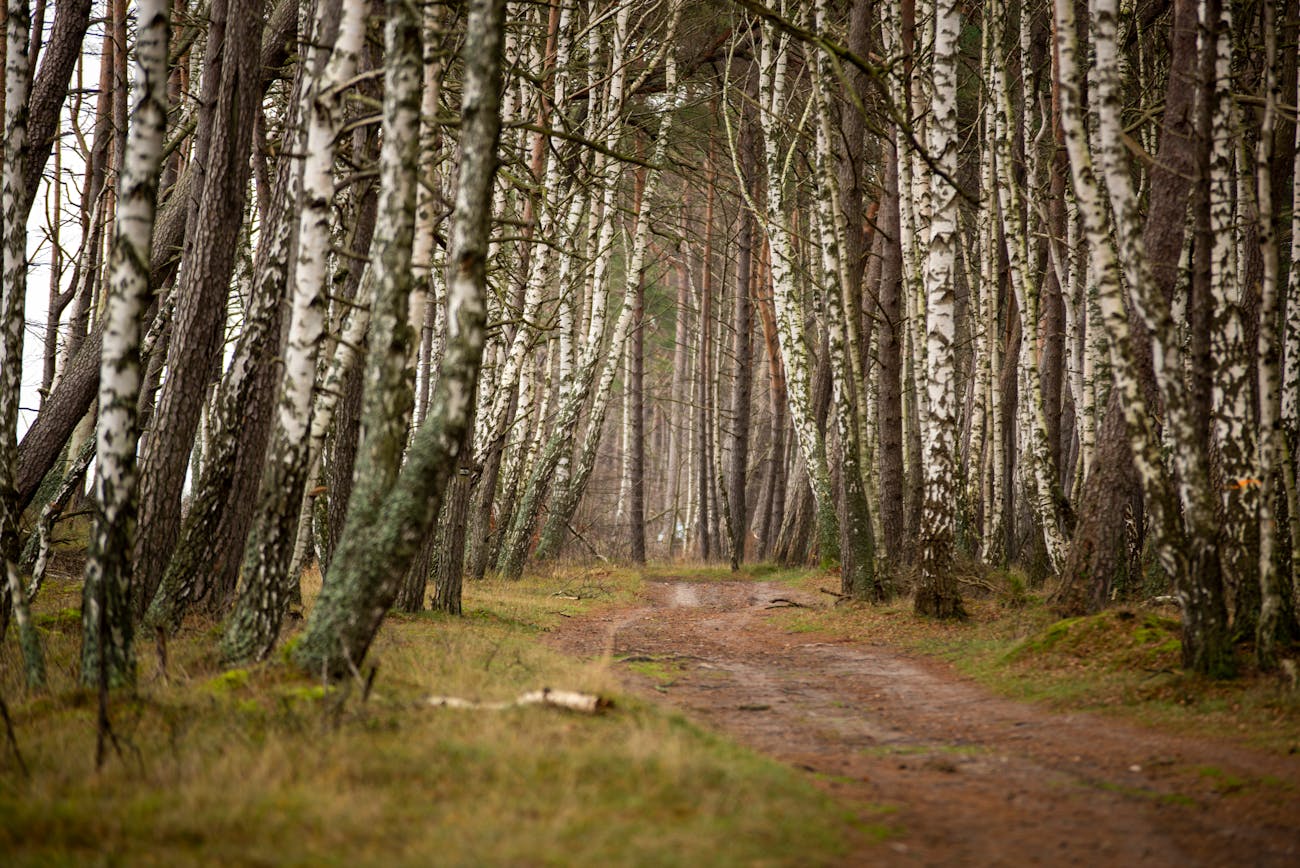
x: 1123, y: 662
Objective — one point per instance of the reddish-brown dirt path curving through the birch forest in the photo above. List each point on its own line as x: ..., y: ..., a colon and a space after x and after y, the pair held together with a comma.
x: 976, y: 780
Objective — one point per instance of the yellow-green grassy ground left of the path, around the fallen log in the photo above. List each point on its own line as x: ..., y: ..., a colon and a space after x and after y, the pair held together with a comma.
x: 263, y: 767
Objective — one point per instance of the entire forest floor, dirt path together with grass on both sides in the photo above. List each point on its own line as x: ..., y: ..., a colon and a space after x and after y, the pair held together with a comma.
x: 755, y: 723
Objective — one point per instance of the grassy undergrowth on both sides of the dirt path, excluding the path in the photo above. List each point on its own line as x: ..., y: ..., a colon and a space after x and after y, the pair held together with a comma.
x: 229, y: 765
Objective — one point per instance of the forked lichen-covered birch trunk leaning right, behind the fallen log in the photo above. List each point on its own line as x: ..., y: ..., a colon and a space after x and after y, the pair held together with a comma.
x: 389, y: 520
